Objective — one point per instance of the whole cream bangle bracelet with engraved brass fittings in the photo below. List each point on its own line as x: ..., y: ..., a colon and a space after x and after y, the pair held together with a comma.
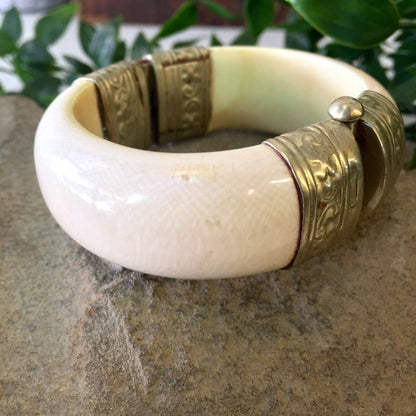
x: 227, y: 213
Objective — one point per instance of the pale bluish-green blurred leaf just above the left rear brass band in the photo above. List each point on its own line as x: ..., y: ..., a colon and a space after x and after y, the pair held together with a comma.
x: 102, y: 46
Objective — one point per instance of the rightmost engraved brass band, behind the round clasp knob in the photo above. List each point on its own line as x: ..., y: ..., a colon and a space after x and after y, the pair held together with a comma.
x: 380, y: 135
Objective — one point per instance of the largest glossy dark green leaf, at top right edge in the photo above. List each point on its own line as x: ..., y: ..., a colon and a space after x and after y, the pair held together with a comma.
x: 353, y: 23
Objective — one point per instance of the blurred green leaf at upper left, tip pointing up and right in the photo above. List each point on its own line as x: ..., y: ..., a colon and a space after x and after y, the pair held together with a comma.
x: 54, y: 23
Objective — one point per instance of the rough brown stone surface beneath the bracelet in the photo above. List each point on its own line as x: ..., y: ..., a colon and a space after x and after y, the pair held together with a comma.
x: 82, y: 337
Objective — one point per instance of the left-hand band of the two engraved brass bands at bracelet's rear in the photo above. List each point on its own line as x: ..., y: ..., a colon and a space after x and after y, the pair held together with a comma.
x: 124, y: 97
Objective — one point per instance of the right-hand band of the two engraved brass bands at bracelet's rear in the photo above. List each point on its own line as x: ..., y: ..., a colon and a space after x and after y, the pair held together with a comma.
x: 183, y: 92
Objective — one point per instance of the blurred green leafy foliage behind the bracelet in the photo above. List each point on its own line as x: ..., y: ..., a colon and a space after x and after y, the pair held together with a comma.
x: 378, y: 36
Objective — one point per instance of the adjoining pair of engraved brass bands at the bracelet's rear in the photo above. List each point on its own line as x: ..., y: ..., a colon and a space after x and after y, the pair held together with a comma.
x: 162, y: 98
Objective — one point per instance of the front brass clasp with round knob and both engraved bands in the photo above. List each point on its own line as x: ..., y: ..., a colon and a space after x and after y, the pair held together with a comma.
x: 342, y: 168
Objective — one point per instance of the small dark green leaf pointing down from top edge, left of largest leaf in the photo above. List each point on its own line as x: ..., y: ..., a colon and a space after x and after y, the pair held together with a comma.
x: 258, y: 14
